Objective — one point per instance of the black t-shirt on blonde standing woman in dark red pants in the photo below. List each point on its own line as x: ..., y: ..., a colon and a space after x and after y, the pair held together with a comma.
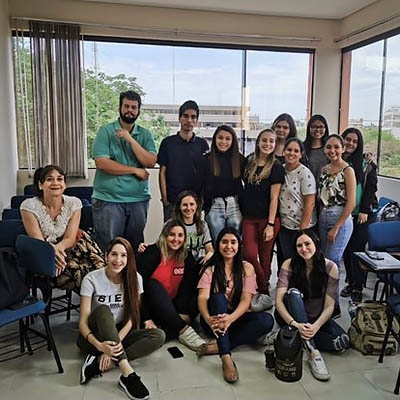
x: 255, y: 198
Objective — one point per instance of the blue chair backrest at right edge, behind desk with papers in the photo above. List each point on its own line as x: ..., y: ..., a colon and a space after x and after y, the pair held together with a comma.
x: 384, y: 236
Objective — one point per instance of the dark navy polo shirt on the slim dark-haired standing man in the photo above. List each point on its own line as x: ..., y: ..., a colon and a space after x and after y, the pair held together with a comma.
x: 183, y: 161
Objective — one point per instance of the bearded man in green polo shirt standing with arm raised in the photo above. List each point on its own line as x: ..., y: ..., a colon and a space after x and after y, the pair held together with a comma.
x: 122, y: 151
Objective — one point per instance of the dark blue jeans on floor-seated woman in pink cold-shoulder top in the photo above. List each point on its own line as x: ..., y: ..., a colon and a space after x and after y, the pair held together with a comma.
x: 245, y: 330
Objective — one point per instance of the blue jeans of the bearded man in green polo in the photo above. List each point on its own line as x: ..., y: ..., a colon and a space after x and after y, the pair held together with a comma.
x: 119, y: 219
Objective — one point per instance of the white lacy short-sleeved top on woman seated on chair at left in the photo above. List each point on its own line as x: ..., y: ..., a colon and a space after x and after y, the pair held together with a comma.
x: 52, y: 230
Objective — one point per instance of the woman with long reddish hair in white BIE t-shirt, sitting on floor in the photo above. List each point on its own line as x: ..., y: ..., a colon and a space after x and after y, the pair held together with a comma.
x: 110, y: 317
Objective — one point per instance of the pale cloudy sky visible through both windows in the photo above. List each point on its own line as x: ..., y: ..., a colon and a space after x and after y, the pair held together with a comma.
x: 276, y: 81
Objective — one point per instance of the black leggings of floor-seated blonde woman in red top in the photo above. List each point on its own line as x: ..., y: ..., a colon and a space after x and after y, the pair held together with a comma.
x: 164, y: 310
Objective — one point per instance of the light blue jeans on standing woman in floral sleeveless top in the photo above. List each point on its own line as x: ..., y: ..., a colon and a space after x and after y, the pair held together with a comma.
x: 327, y: 218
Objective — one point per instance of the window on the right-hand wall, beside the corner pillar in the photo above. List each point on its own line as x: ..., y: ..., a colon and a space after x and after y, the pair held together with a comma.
x: 374, y: 101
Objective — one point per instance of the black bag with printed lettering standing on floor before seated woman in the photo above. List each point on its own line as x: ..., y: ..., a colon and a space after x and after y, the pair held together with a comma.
x: 289, y: 354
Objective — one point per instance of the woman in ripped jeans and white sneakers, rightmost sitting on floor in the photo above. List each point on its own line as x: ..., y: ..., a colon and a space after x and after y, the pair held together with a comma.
x: 305, y: 299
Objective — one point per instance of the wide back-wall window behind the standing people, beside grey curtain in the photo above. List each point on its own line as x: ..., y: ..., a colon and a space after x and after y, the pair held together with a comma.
x: 167, y: 75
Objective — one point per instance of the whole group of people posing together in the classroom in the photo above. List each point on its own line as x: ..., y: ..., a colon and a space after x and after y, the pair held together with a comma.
x: 314, y: 199
